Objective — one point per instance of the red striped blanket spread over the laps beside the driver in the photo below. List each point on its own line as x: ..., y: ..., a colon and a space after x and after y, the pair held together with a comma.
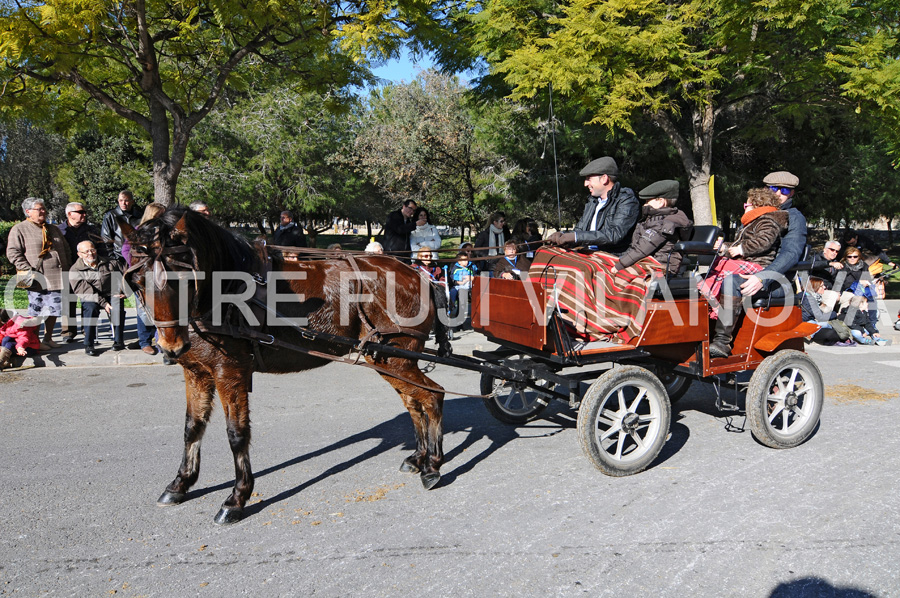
x: 594, y: 300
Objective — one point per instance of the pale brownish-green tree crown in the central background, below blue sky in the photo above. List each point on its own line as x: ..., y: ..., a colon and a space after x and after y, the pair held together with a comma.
x: 426, y: 141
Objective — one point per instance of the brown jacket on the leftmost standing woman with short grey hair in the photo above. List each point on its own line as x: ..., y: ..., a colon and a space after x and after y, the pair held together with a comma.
x: 24, y: 246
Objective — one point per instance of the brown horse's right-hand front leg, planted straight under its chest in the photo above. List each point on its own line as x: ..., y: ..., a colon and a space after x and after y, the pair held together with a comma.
x: 233, y: 386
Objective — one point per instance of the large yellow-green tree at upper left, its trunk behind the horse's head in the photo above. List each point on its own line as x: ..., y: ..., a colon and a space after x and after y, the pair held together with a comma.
x: 164, y: 65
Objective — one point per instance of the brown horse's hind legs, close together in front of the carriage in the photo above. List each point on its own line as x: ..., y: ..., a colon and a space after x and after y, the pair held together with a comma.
x: 426, y: 410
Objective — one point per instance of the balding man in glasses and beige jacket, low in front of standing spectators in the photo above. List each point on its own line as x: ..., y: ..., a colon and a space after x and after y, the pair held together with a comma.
x: 92, y: 280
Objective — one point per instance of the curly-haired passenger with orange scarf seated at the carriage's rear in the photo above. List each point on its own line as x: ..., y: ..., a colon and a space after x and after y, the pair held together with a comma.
x: 753, y: 249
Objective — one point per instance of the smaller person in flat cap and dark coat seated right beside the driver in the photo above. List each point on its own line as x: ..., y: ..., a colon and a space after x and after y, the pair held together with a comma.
x: 659, y: 228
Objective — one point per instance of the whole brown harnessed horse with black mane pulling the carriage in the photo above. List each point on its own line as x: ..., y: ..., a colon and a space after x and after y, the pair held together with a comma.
x: 178, y: 261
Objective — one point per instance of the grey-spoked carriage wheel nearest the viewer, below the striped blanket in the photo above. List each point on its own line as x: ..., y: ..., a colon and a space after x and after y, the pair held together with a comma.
x: 624, y: 420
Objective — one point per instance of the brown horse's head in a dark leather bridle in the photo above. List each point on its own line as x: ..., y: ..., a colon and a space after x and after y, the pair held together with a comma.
x: 164, y: 271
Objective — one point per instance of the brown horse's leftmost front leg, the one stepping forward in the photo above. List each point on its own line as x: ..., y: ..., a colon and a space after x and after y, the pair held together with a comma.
x: 199, y: 388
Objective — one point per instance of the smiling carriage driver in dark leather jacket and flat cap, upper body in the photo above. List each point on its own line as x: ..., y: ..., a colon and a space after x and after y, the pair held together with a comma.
x: 610, y: 214
